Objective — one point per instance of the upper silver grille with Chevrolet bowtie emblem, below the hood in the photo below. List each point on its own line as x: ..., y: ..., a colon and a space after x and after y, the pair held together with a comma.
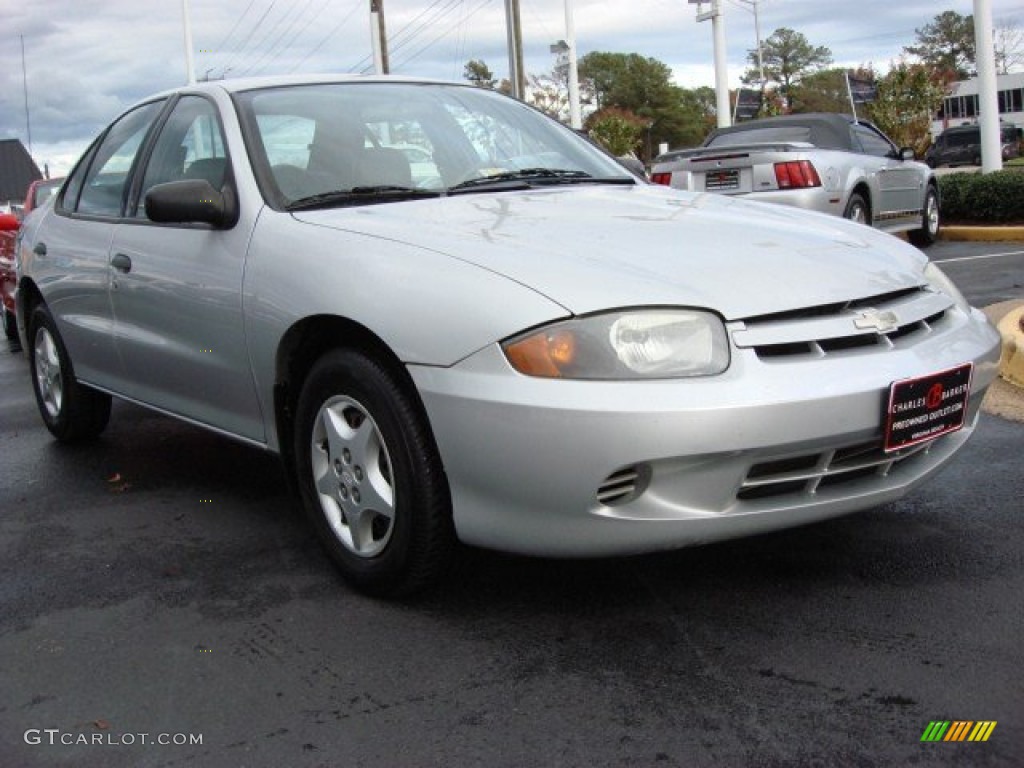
x: 884, y: 322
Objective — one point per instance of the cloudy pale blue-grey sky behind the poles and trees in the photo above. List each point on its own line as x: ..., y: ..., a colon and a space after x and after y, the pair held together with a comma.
x: 87, y: 61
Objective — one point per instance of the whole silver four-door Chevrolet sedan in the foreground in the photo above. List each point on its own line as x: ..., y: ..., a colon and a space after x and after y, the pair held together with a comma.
x: 520, y: 347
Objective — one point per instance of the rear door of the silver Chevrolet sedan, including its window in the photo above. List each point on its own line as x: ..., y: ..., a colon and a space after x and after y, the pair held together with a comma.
x: 76, y: 241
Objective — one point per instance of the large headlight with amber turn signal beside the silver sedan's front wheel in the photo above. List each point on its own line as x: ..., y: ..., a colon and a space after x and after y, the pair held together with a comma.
x: 638, y: 345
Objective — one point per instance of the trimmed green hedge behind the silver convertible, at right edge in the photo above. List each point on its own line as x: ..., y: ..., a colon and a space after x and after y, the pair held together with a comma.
x: 983, y: 199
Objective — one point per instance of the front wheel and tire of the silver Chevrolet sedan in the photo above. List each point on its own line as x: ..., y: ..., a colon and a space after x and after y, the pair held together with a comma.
x: 371, y: 477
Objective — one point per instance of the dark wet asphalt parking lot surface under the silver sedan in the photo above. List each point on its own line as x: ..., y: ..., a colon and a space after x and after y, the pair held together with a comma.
x: 162, y: 604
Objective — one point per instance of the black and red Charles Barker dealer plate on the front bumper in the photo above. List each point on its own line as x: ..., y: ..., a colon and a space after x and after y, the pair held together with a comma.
x: 921, y: 410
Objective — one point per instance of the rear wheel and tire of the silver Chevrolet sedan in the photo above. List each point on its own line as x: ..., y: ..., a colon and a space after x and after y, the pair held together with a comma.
x: 70, y: 410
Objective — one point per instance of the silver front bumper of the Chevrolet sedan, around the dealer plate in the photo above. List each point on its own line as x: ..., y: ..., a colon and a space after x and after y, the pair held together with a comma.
x: 571, y: 468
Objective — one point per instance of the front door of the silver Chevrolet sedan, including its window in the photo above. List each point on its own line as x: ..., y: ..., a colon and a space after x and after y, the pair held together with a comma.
x: 177, y: 293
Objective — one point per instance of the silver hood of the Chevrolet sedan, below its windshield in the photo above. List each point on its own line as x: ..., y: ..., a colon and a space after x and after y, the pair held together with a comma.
x: 592, y: 248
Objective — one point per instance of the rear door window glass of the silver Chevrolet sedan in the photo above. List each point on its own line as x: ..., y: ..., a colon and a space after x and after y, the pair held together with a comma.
x: 103, y: 192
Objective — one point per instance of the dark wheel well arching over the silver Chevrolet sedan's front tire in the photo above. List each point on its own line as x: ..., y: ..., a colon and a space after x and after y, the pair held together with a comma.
x: 301, y: 348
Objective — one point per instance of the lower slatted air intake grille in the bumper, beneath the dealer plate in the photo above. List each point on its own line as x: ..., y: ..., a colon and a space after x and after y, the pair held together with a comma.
x: 808, y: 474
